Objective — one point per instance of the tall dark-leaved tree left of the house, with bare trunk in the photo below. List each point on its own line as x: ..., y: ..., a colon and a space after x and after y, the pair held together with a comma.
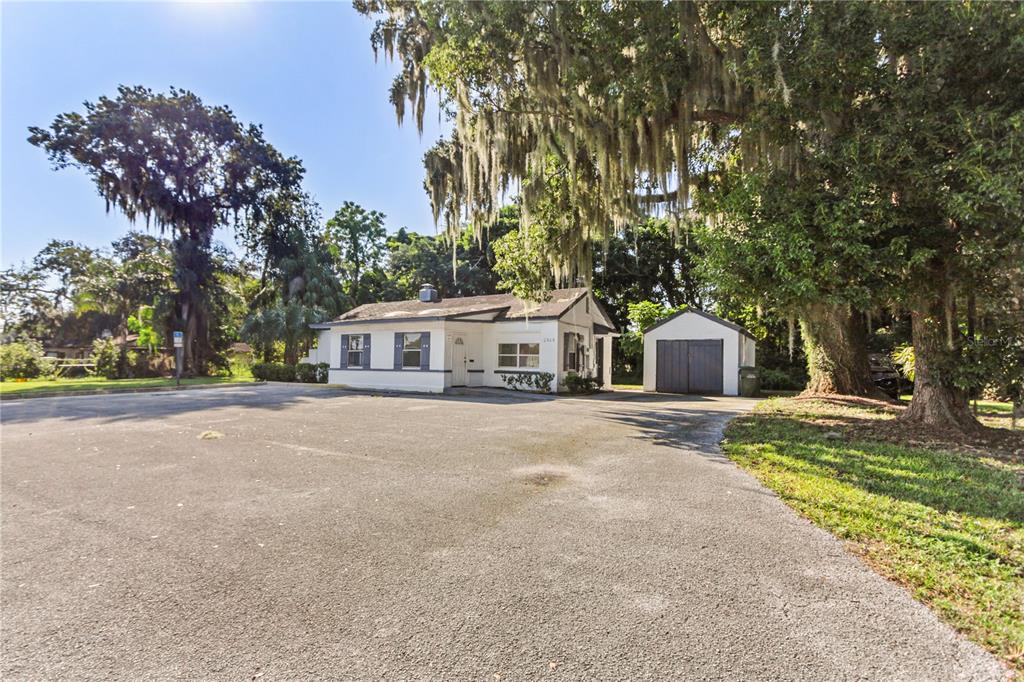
x: 182, y: 165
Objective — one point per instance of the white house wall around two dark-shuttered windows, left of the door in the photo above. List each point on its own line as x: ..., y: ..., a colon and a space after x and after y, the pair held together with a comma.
x: 382, y: 375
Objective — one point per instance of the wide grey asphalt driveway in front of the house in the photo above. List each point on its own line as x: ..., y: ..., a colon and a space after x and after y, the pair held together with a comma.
x: 297, y: 532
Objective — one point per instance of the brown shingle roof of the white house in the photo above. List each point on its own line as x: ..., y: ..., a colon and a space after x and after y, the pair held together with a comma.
x: 506, y: 307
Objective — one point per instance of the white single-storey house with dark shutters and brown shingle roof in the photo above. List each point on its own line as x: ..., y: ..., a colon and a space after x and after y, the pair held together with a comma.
x: 432, y: 345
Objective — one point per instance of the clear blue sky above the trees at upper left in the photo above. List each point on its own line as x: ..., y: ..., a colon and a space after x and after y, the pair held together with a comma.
x: 305, y: 71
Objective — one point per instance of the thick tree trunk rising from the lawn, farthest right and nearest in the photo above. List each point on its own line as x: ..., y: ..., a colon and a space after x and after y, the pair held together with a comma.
x: 936, y: 401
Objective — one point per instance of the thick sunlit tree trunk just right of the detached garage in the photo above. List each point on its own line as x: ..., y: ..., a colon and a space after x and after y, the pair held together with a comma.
x: 836, y: 345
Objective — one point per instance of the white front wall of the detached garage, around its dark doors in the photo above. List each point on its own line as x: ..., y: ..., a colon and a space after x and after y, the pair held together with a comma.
x: 692, y: 326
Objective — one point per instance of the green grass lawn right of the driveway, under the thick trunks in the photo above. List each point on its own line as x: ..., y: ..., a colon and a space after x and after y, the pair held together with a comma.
x: 947, y: 525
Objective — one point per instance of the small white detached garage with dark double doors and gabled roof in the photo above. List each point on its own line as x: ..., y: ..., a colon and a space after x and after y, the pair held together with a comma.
x: 695, y: 352
